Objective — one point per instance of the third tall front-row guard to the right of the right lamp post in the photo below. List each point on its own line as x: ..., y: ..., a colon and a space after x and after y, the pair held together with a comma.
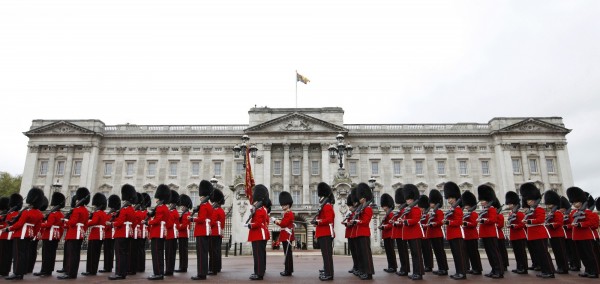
x: 453, y: 219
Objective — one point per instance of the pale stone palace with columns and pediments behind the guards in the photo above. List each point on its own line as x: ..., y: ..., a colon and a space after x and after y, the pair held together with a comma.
x: 293, y: 156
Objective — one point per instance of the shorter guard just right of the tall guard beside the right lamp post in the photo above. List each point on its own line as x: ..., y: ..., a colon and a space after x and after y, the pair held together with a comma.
x: 387, y: 204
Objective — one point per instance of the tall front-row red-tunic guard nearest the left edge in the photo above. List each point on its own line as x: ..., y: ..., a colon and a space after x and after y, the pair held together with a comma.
x: 22, y: 229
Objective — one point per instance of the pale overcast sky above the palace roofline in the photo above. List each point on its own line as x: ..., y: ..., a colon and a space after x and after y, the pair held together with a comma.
x: 195, y: 62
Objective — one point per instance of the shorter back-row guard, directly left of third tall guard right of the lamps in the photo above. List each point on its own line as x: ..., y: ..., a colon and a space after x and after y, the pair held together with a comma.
x: 434, y: 233
